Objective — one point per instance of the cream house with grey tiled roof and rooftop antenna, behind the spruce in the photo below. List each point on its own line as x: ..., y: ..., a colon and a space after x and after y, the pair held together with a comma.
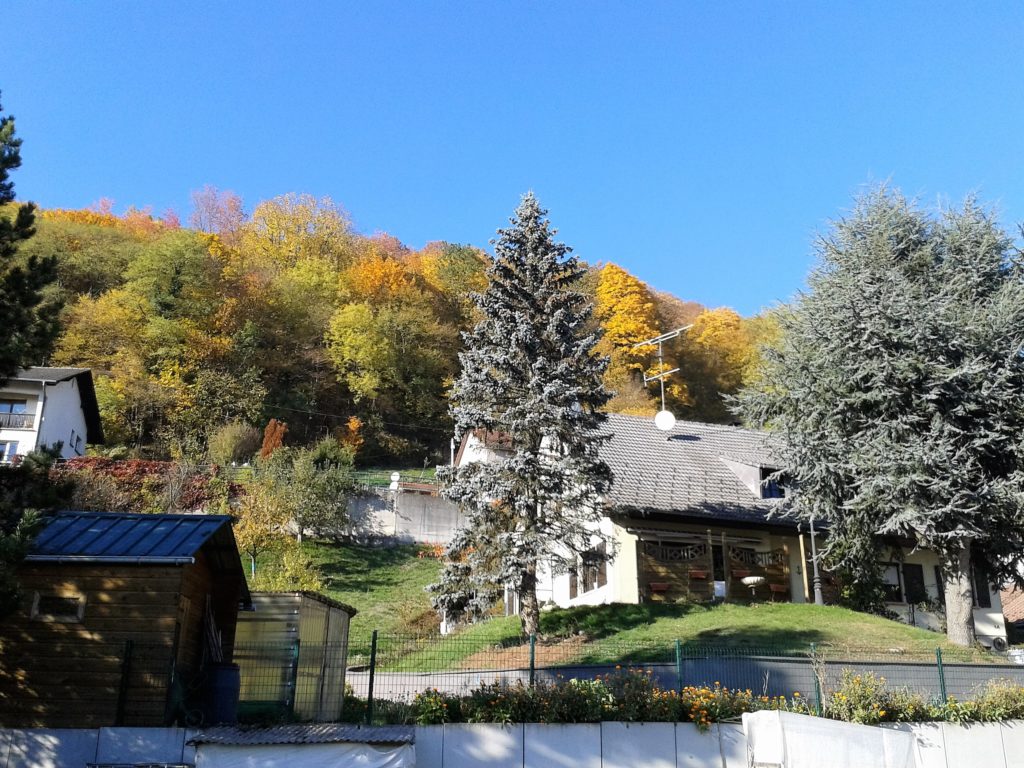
x: 690, y: 511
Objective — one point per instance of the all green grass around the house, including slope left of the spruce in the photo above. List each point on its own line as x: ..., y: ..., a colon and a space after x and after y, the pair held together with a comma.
x: 387, y: 585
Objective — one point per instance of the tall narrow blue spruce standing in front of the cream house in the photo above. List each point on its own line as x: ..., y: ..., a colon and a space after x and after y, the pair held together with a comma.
x: 530, y: 374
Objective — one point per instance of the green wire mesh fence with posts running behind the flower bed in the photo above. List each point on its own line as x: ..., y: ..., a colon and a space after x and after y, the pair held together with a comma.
x: 310, y: 682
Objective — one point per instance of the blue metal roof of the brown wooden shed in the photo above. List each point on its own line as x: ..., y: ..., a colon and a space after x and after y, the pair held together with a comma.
x: 117, y: 537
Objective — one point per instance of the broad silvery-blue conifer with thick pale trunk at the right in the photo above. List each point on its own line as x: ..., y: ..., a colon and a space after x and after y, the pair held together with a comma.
x: 898, y: 392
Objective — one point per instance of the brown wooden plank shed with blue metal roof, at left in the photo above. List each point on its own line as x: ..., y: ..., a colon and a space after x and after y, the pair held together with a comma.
x: 123, y: 621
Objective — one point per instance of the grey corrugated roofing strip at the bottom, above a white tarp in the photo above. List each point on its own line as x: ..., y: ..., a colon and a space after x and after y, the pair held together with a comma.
x: 308, y: 735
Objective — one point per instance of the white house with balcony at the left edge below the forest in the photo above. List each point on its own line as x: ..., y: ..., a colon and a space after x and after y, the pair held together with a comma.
x: 47, y: 406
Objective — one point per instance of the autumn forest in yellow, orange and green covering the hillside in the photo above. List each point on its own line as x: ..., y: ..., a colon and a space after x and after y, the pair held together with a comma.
x: 289, y: 313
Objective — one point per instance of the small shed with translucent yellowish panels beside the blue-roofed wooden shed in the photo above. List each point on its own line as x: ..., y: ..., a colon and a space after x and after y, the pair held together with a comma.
x: 292, y: 650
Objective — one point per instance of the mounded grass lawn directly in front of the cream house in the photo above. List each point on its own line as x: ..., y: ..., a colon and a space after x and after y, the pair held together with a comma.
x: 625, y: 634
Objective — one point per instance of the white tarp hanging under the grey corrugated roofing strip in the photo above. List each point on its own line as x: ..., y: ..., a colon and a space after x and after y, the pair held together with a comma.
x: 306, y: 756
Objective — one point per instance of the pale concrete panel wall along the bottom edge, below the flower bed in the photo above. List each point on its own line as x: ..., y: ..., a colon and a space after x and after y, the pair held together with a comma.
x: 524, y: 746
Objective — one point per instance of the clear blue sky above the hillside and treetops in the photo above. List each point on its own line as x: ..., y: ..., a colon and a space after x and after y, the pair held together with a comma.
x: 699, y: 145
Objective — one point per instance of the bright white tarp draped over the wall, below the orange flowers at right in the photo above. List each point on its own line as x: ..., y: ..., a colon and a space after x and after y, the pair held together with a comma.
x: 782, y: 740
